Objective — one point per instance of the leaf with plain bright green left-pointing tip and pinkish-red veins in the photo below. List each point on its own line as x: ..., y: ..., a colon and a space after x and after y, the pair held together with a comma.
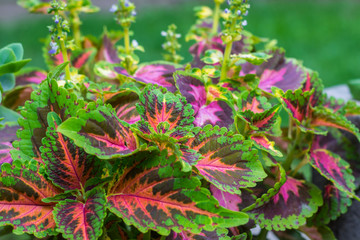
x: 100, y: 132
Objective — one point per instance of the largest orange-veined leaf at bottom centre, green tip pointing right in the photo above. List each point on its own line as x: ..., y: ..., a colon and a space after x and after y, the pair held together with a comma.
x: 155, y: 194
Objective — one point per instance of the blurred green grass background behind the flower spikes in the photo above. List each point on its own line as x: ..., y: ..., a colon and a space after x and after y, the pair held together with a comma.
x: 324, y: 34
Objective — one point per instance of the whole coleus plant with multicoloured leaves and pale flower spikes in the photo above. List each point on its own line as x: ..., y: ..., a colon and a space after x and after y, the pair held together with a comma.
x: 107, y: 148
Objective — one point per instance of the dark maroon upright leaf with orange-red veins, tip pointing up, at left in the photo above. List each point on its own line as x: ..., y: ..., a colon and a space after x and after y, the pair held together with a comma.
x: 67, y: 165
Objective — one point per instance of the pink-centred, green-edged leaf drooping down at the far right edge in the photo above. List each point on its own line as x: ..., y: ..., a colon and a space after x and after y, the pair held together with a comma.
x: 334, y: 168
